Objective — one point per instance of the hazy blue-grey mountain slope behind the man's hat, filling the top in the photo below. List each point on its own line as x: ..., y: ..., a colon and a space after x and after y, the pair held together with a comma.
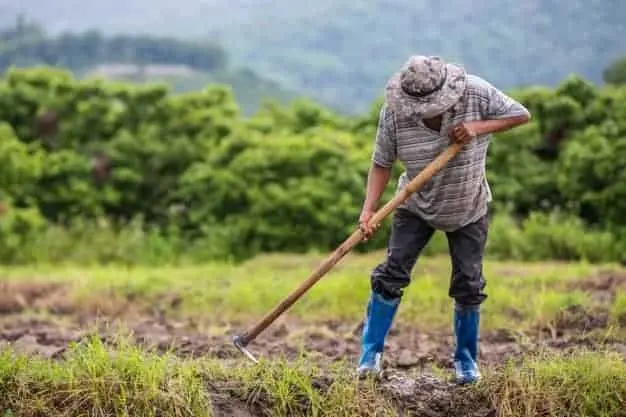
x: 342, y: 51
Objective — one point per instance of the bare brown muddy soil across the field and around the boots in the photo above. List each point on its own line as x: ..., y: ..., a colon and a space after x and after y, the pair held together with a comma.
x: 409, y: 384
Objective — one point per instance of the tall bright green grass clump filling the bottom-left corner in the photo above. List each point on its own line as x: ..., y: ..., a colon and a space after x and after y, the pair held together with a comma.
x: 94, y: 380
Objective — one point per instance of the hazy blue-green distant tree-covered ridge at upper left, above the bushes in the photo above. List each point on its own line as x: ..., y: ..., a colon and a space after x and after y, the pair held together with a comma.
x: 183, y: 65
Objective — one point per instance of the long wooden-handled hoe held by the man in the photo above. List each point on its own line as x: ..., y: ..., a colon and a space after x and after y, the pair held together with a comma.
x: 242, y: 341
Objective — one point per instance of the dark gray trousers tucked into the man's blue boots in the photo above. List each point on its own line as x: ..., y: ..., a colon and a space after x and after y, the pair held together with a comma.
x: 409, y: 236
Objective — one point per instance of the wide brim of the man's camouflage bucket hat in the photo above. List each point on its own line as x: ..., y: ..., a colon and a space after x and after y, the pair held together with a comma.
x: 431, y: 105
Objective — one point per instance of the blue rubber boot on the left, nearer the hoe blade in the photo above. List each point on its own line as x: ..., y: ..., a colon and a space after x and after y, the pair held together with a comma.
x: 379, y: 316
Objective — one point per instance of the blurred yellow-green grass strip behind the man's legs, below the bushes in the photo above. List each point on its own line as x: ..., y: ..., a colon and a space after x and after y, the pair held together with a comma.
x: 519, y: 294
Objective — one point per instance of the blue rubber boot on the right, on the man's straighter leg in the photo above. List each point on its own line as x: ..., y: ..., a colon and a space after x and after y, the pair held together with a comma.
x: 466, y: 324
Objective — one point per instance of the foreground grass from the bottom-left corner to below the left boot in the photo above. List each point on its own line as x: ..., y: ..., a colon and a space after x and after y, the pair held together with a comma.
x: 126, y: 381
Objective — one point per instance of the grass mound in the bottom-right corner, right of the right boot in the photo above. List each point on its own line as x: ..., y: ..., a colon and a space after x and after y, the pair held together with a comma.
x: 584, y: 384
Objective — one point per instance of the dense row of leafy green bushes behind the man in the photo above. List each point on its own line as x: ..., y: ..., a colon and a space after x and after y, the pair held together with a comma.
x: 80, y: 159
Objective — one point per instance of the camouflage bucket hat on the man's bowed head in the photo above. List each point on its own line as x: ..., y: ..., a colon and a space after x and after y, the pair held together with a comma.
x: 425, y: 87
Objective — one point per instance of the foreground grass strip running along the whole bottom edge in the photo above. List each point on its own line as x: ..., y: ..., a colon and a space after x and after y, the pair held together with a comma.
x: 122, y: 380
